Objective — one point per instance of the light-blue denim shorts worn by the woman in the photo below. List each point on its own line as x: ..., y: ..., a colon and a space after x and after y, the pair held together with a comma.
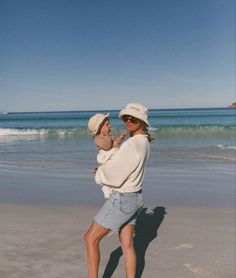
x: 120, y: 209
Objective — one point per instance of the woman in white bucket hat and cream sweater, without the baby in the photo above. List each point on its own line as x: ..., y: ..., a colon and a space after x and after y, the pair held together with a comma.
x: 124, y: 173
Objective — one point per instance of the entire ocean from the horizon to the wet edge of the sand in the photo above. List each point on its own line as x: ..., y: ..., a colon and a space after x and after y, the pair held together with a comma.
x: 48, y: 157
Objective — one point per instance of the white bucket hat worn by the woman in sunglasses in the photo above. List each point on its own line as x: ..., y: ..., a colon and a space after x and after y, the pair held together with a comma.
x: 136, y: 110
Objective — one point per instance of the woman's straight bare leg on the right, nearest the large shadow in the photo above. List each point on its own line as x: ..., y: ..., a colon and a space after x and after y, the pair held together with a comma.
x: 126, y: 240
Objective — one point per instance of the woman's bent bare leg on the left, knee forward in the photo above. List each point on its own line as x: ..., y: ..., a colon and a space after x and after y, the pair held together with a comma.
x: 92, y: 238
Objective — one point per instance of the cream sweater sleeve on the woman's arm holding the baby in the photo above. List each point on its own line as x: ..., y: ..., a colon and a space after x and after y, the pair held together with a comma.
x: 116, y: 171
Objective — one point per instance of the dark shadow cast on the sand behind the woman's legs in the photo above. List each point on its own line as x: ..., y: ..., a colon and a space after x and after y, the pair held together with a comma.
x: 146, y: 228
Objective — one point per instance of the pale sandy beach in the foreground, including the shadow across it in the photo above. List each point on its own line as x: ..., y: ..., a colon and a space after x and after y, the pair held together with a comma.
x: 47, y: 242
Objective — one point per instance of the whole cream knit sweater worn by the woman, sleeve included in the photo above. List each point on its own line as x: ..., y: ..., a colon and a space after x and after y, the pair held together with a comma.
x: 125, y: 171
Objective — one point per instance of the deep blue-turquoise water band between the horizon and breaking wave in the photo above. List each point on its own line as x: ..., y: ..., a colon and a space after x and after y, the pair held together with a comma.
x: 158, y: 118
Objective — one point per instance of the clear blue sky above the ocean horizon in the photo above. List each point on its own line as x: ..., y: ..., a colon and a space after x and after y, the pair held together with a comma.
x: 81, y: 55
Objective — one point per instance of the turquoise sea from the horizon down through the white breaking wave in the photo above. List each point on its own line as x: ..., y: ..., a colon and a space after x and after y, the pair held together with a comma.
x: 182, y: 127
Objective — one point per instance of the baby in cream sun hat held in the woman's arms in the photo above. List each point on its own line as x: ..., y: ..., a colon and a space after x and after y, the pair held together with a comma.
x: 107, y: 144
